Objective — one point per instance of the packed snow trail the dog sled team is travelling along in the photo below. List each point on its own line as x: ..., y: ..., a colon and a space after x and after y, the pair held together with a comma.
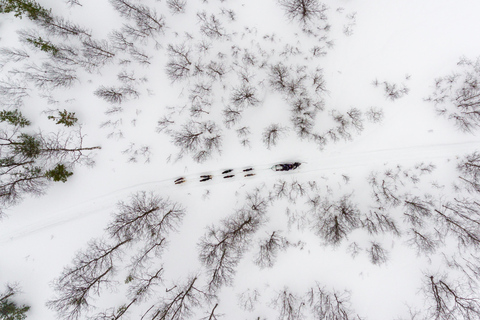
x: 326, y: 163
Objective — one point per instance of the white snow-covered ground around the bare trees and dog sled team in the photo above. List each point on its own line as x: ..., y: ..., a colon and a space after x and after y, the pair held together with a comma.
x: 403, y: 42
